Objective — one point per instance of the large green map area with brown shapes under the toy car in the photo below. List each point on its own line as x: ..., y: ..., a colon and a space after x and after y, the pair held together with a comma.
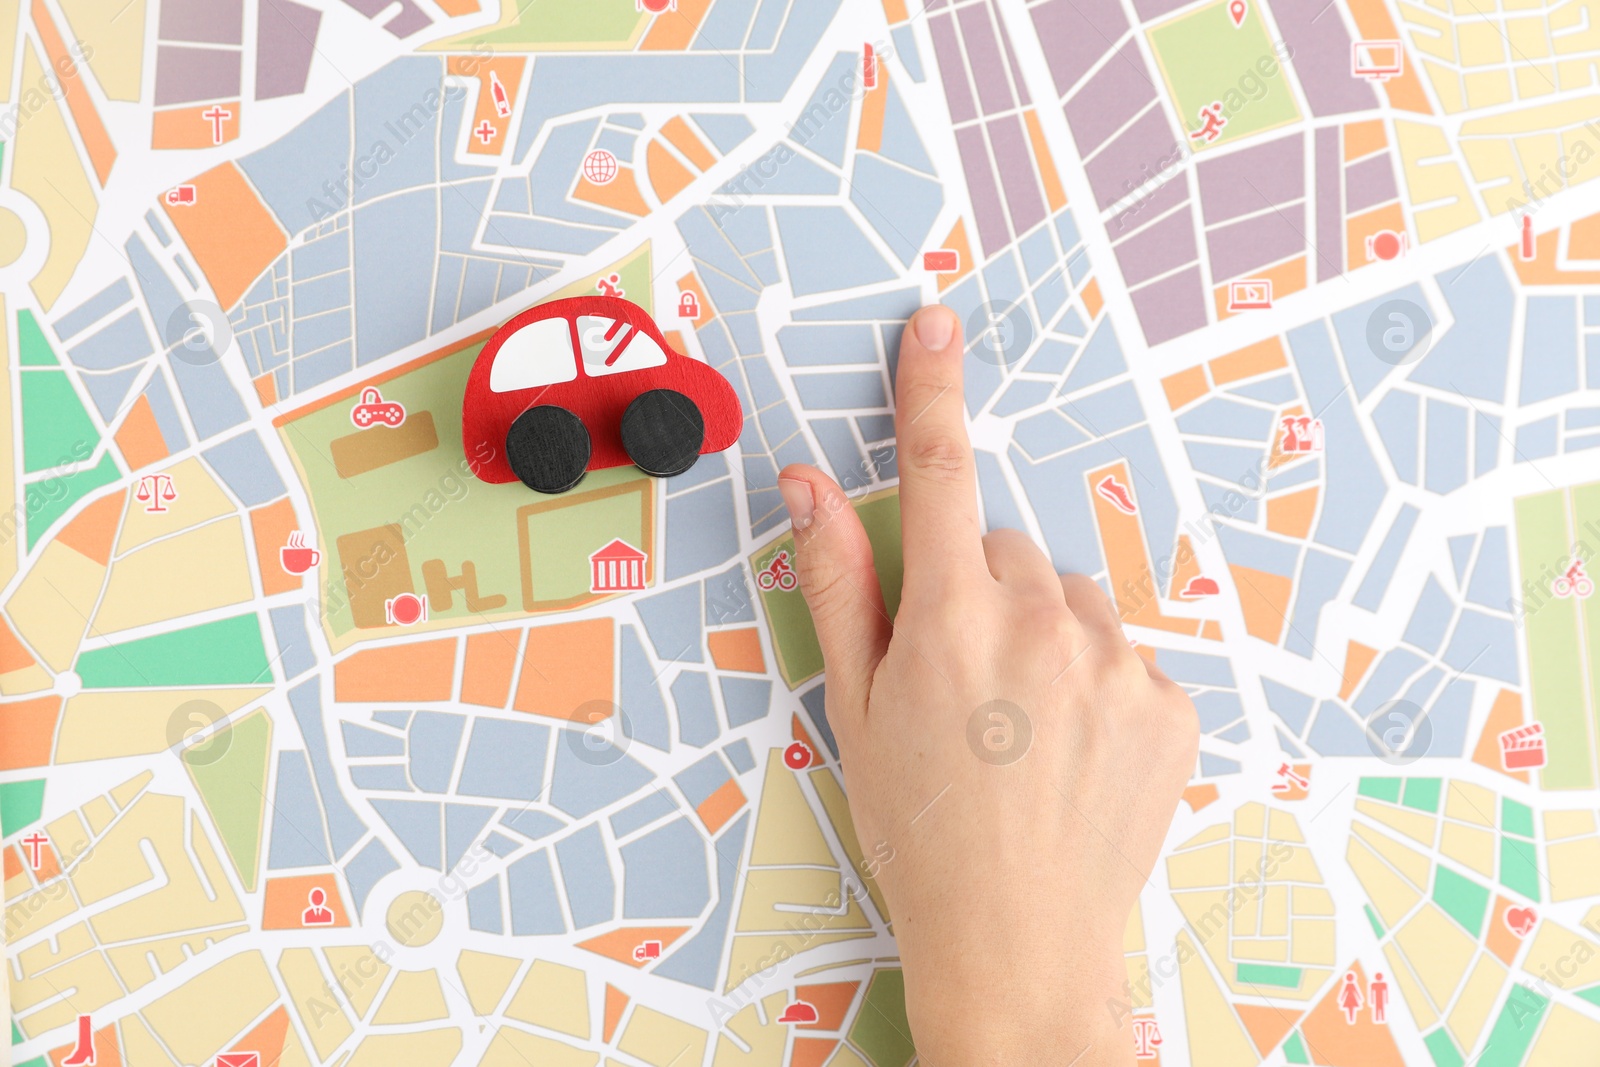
x: 401, y: 513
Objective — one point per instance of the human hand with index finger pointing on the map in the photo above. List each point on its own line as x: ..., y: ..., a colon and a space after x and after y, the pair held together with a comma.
x: 1001, y: 737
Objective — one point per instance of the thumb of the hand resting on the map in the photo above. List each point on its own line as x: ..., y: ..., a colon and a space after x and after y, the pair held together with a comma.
x: 841, y: 585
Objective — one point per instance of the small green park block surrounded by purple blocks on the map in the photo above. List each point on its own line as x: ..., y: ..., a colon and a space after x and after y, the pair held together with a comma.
x: 1209, y: 60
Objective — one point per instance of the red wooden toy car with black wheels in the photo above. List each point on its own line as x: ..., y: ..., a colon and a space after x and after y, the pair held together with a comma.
x: 590, y: 383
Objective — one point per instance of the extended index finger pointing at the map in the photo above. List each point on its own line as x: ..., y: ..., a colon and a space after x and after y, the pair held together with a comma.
x: 938, y: 476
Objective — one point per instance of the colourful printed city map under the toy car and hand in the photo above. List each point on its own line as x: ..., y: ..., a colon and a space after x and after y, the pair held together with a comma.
x: 1284, y: 326
